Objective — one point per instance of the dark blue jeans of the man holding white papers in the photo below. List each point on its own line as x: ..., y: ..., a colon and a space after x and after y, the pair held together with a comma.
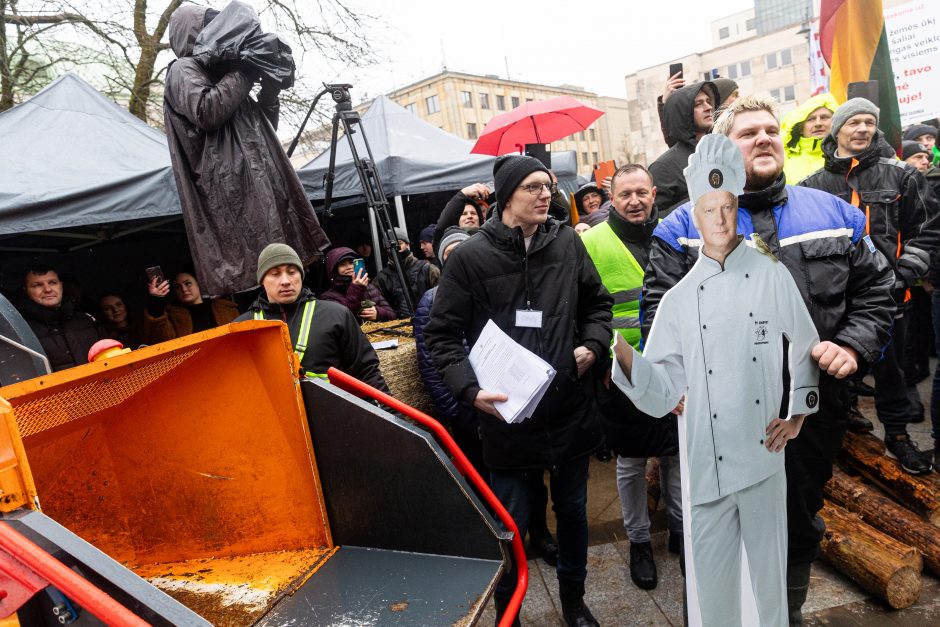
x: 568, y: 484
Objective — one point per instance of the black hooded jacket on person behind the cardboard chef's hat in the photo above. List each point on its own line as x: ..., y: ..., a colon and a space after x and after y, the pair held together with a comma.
x: 678, y: 112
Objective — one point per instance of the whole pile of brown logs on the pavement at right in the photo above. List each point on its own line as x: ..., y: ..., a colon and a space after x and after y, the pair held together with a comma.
x: 881, y: 542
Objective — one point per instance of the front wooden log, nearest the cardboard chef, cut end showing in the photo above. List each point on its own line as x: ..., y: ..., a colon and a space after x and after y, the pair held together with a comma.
x: 876, y: 562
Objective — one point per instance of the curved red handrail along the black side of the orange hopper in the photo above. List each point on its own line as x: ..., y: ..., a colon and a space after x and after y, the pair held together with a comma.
x: 354, y: 385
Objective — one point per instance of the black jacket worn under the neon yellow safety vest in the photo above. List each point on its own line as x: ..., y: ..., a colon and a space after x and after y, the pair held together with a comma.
x: 630, y: 432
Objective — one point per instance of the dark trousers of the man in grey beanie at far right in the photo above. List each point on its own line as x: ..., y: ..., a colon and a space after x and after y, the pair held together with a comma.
x: 892, y: 402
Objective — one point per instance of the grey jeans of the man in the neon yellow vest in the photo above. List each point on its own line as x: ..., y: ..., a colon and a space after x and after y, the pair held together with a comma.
x: 631, y: 486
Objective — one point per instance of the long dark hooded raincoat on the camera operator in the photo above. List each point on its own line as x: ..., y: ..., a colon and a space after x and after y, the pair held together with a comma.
x: 237, y: 188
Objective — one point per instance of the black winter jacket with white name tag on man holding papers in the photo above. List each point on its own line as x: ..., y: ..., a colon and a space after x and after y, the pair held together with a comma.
x: 491, y: 276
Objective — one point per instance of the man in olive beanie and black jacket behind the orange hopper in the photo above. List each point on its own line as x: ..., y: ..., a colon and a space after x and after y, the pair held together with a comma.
x: 324, y: 334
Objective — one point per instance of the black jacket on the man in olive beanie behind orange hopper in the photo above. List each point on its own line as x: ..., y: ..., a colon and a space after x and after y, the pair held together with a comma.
x: 335, y: 337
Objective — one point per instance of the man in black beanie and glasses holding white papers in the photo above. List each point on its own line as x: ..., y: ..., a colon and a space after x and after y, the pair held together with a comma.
x: 532, y: 277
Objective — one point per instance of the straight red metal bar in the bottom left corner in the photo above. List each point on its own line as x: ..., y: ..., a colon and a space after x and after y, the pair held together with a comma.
x: 70, y: 583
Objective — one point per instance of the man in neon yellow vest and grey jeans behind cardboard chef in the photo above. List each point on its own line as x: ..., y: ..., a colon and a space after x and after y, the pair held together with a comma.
x: 619, y: 248
